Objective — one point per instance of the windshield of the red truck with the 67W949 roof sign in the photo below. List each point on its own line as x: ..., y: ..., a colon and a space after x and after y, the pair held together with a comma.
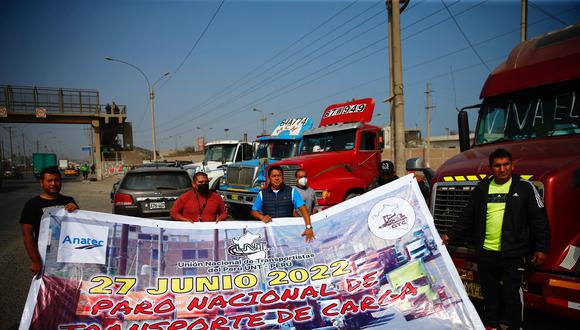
x: 331, y: 141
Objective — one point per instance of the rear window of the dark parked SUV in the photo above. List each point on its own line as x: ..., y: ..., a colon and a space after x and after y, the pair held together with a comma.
x: 156, y: 181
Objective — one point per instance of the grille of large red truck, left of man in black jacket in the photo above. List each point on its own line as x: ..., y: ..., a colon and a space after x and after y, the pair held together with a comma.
x: 449, y: 201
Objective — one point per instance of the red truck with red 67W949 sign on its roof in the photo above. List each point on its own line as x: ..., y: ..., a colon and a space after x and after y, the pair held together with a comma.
x: 342, y: 155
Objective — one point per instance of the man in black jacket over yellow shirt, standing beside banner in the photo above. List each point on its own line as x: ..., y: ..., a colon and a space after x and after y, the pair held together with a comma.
x: 506, y: 220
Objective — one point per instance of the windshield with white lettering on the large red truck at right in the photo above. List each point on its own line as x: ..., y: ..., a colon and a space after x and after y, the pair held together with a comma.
x: 542, y: 112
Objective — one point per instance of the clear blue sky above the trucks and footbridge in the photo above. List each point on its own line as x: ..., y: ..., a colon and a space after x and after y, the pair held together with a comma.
x: 225, y: 58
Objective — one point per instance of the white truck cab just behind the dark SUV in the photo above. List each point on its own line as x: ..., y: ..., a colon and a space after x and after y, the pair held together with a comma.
x: 218, y: 154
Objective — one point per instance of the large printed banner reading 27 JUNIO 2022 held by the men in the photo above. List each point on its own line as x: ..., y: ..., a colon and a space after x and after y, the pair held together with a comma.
x: 376, y: 263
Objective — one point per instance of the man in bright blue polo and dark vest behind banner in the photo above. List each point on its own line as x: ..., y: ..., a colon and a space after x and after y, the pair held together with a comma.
x: 279, y: 201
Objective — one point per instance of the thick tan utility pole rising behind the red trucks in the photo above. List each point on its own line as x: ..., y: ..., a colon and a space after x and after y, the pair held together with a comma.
x: 398, y: 103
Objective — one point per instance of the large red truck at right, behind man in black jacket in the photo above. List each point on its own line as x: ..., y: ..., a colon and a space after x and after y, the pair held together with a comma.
x: 531, y: 107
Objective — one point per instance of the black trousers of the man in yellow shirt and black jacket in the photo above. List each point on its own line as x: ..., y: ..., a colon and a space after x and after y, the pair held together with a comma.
x: 501, y: 283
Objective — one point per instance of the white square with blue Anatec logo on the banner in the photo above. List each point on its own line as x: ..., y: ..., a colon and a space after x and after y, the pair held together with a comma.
x: 82, y: 243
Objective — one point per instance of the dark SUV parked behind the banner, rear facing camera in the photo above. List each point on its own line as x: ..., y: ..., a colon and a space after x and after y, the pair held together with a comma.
x: 149, y: 191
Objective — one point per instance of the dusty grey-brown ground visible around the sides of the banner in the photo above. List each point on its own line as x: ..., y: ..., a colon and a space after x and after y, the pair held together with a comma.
x: 94, y: 196
